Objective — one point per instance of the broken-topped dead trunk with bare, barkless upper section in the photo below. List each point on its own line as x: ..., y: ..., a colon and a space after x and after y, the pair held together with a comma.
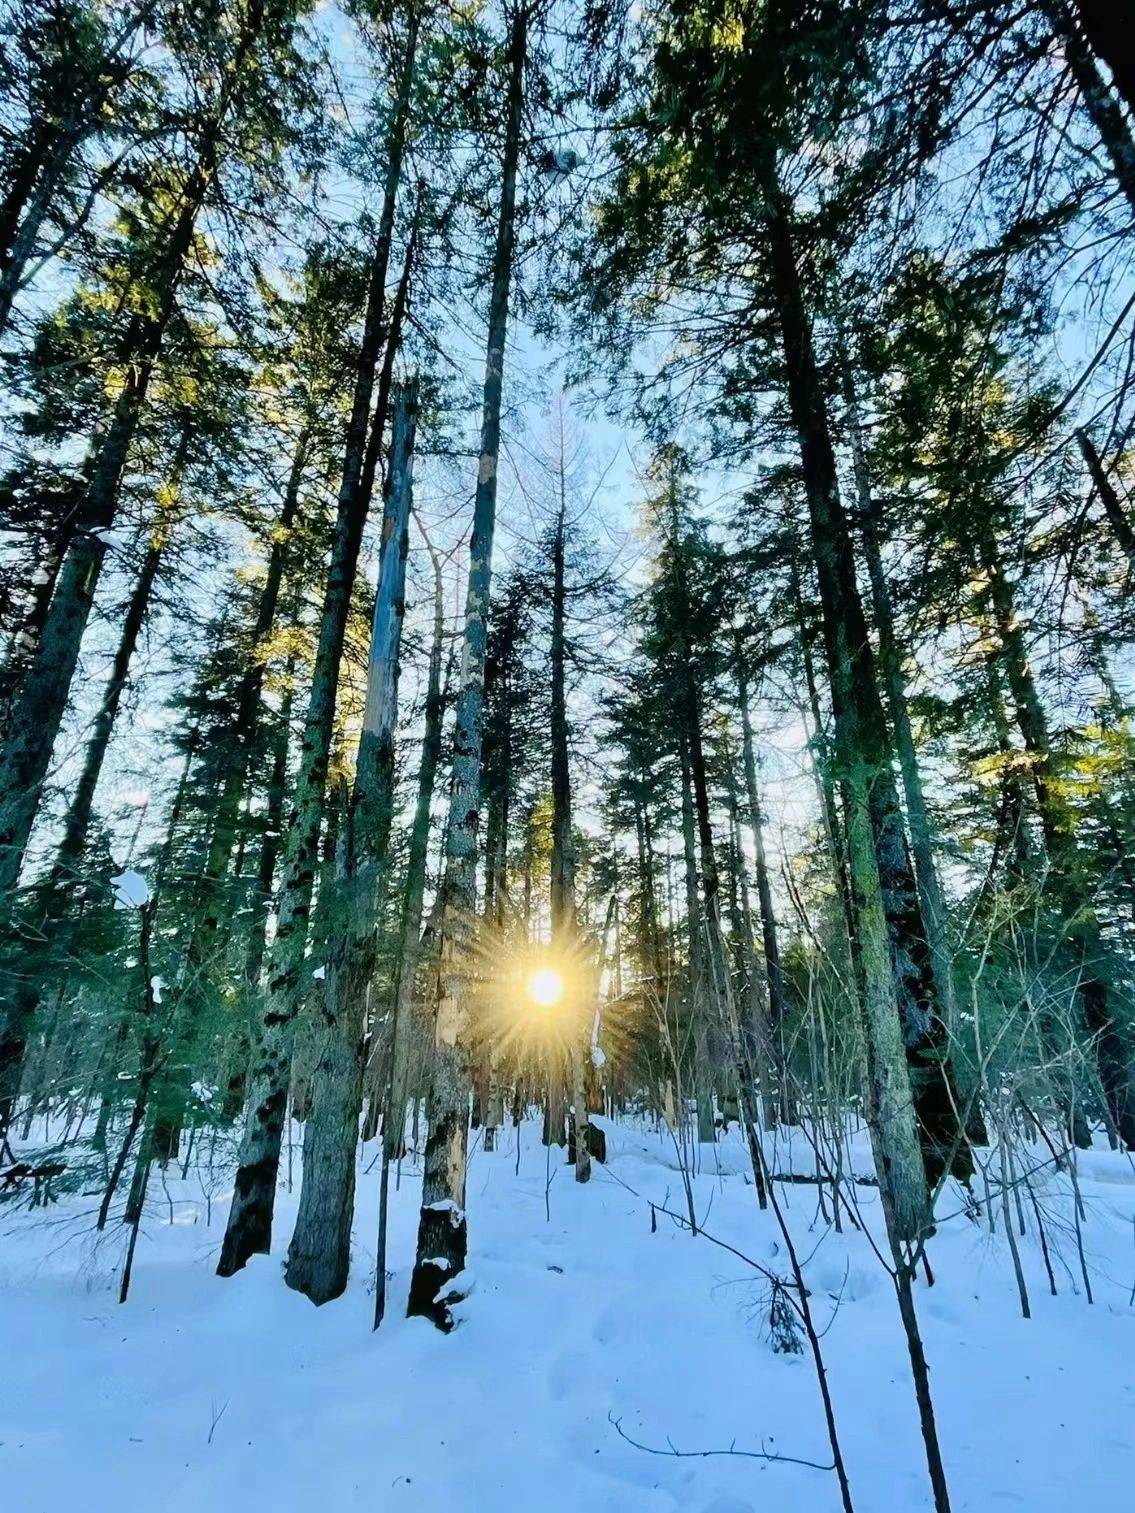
x: 320, y: 1255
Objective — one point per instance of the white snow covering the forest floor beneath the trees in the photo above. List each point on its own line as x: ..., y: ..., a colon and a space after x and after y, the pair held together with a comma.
x: 222, y: 1396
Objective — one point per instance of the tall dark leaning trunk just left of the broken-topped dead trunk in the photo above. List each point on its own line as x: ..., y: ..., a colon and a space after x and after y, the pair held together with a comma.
x: 250, y: 1219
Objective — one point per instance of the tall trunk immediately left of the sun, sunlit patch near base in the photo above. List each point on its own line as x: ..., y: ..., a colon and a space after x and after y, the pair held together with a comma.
x: 443, y: 1234
